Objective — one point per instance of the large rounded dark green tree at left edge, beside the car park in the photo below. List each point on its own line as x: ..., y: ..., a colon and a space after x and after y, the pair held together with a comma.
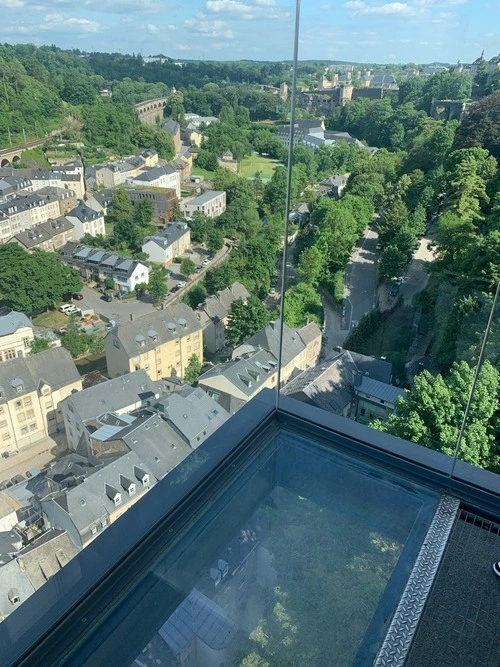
x: 32, y: 282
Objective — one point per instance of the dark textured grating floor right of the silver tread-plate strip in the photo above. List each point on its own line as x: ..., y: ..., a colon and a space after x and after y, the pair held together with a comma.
x: 460, y: 625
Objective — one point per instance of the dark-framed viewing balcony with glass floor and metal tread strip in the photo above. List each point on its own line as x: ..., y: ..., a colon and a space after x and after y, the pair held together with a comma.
x: 290, y: 536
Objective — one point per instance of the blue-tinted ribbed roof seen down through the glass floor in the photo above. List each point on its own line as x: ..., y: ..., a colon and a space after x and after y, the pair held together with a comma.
x: 198, y: 616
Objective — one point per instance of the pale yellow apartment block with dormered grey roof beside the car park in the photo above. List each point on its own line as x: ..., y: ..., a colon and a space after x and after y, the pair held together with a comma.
x: 161, y: 343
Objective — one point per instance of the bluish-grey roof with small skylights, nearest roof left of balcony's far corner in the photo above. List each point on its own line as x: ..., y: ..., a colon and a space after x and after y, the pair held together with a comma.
x: 193, y: 413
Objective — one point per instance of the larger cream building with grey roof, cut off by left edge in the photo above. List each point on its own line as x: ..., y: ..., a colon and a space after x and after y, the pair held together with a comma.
x: 31, y: 389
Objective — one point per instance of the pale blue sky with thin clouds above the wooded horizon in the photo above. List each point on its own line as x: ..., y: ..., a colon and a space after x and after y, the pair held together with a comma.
x: 359, y: 30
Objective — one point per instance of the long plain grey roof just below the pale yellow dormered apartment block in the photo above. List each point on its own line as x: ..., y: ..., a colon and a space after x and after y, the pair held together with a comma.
x: 112, y: 395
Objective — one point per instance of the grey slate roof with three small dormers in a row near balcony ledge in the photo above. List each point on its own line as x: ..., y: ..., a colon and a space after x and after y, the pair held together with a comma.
x: 88, y: 502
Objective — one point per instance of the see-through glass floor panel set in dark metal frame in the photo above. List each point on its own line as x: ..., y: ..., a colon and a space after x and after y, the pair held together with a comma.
x: 300, y: 560
